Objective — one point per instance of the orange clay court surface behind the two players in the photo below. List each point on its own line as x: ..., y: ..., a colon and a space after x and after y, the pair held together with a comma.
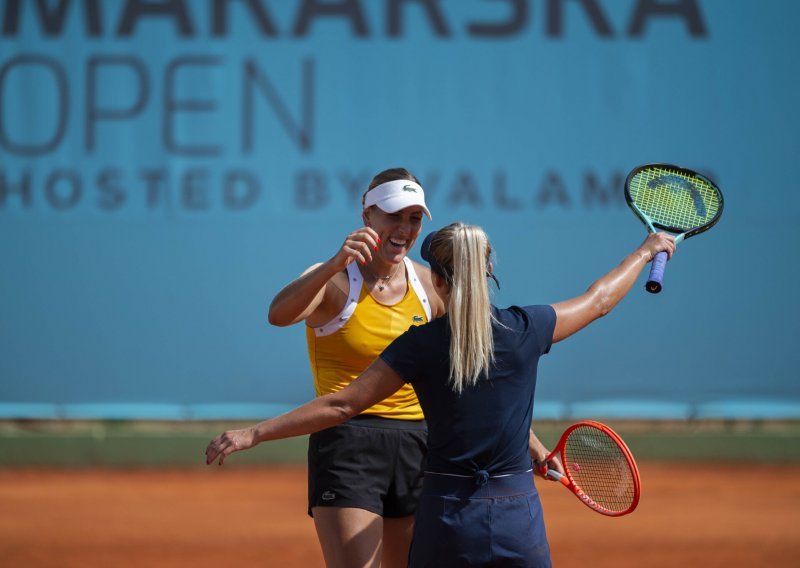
x: 690, y: 515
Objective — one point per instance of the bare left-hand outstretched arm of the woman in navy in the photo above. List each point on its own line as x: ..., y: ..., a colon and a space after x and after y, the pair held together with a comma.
x: 376, y: 383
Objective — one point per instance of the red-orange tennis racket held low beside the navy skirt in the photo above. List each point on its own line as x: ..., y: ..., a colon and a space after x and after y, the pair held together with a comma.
x: 599, y: 468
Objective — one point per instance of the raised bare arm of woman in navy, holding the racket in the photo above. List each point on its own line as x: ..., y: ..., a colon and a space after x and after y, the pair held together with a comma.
x: 601, y: 297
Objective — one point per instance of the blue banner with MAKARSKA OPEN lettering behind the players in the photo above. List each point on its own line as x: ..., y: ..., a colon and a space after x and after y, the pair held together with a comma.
x: 167, y: 166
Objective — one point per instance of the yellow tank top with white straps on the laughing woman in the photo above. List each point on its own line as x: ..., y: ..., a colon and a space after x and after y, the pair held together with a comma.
x: 341, y: 349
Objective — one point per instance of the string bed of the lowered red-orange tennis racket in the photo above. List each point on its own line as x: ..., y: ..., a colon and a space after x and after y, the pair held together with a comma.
x: 600, y: 468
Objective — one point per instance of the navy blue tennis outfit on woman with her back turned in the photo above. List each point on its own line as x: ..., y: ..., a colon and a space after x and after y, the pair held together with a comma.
x: 479, y: 506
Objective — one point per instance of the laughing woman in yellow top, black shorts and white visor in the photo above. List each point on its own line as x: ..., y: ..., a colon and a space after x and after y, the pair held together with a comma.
x: 365, y: 476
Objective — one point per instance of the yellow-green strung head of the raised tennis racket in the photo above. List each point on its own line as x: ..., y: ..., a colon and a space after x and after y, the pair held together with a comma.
x: 672, y: 198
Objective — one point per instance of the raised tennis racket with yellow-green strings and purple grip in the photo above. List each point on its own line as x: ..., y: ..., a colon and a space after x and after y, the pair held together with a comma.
x: 672, y: 199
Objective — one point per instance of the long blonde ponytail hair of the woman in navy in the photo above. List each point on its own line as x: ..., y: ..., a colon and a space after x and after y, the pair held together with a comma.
x: 462, y: 255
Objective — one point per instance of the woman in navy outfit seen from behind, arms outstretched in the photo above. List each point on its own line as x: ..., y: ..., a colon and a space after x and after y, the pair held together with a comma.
x: 474, y: 371
